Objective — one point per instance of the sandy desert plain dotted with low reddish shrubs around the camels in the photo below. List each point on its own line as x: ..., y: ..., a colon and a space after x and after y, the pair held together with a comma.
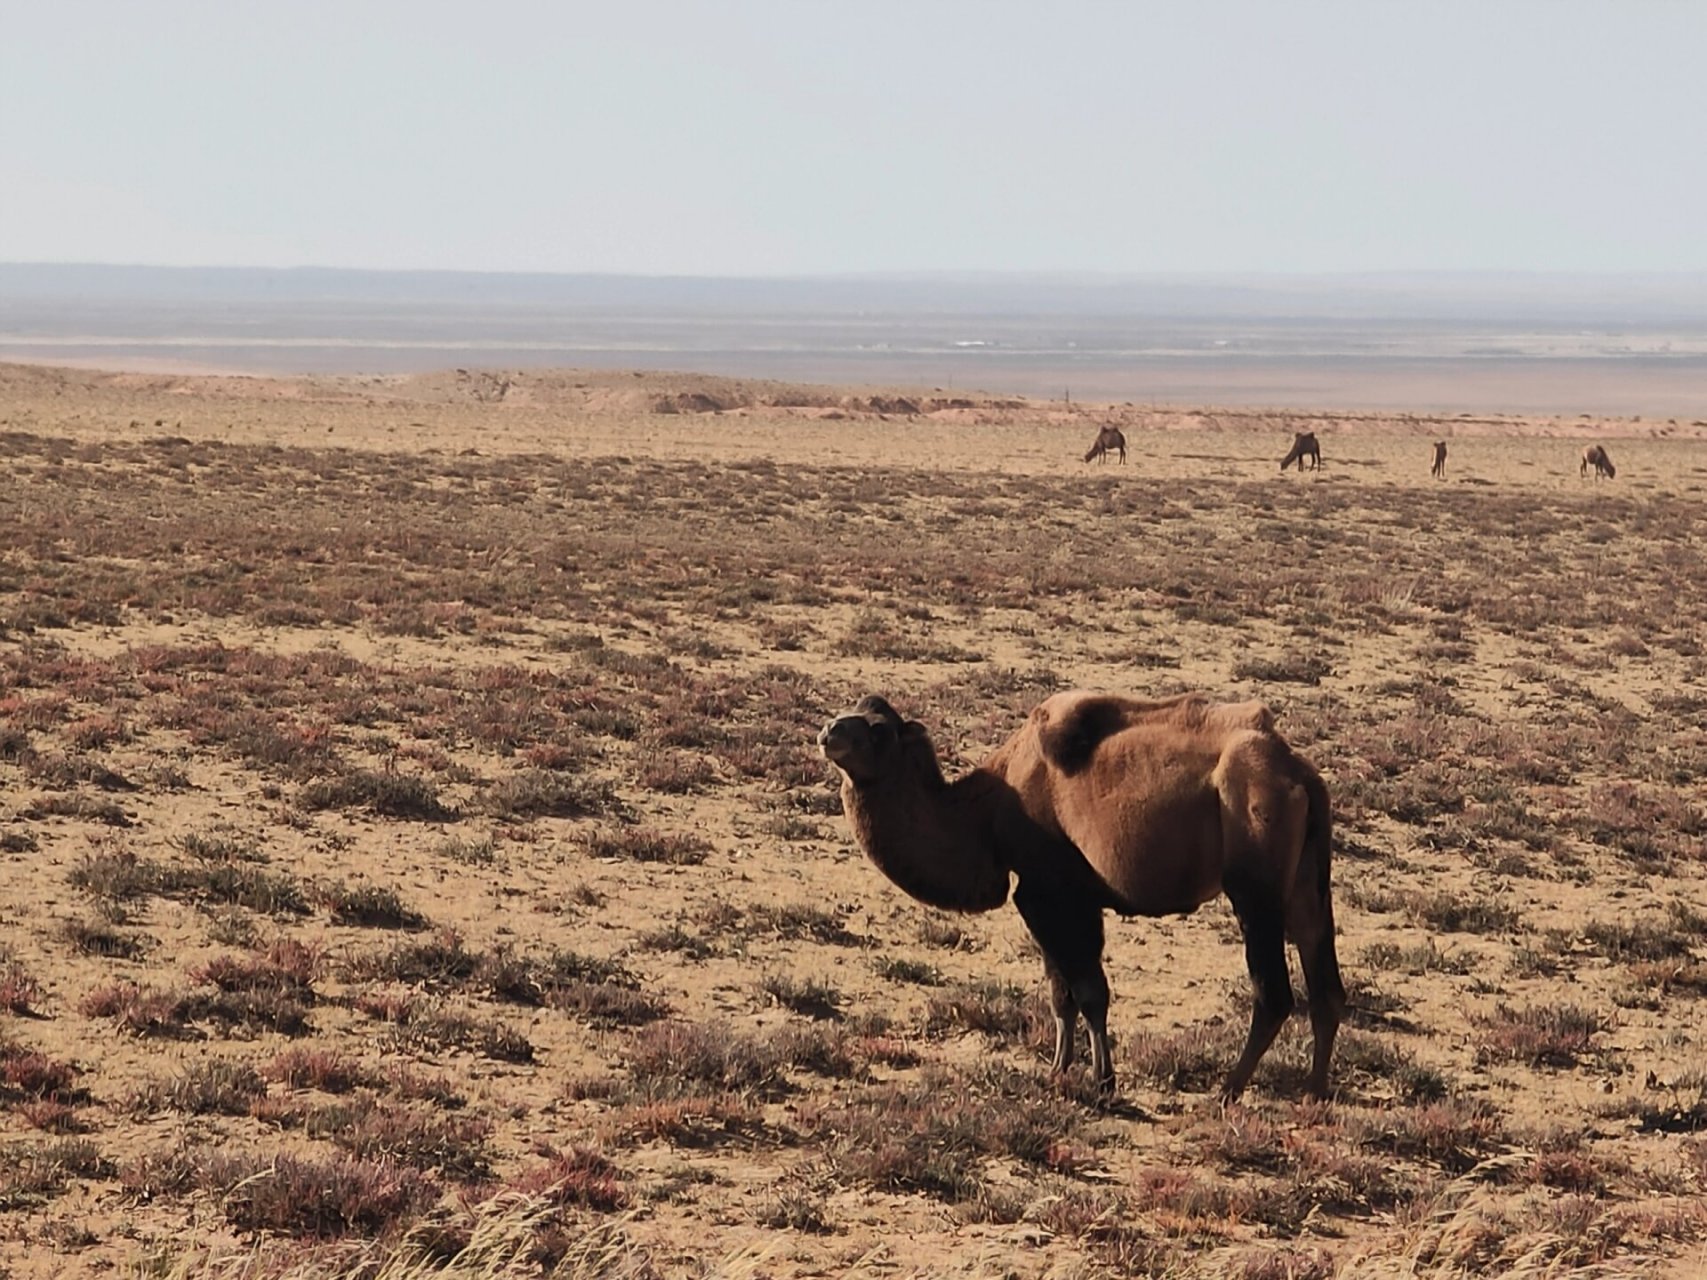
x: 416, y: 851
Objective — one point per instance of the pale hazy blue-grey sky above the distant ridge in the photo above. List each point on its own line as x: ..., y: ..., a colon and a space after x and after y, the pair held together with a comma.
x: 779, y: 137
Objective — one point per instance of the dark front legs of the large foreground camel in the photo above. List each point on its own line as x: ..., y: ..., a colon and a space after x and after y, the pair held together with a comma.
x: 1069, y: 933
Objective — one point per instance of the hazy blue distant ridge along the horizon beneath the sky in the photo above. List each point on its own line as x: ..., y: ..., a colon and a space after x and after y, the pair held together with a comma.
x: 1628, y: 300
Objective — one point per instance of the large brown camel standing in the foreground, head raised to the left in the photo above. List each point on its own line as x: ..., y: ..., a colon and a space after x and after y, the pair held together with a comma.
x: 1148, y: 808
